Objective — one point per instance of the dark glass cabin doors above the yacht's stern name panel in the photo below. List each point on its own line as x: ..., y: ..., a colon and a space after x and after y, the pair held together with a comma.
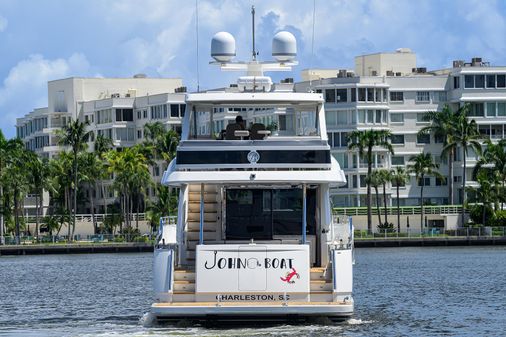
x: 261, y: 214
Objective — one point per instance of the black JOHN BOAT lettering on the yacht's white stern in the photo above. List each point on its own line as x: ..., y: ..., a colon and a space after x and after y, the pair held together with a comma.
x: 248, y: 263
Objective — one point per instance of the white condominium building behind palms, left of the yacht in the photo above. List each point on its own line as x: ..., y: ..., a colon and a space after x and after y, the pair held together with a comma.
x: 117, y: 108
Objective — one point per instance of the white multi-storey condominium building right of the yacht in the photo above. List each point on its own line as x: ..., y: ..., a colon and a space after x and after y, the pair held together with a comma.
x: 381, y: 94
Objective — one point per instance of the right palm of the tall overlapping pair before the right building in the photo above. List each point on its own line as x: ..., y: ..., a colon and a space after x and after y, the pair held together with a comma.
x: 467, y: 136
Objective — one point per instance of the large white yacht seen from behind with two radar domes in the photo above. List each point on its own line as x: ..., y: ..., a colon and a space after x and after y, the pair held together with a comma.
x: 254, y: 236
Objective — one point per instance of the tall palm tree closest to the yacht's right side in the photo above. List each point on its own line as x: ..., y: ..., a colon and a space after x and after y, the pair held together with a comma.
x: 364, y: 142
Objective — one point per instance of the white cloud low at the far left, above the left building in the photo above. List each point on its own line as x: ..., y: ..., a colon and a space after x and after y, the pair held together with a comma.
x: 25, y: 87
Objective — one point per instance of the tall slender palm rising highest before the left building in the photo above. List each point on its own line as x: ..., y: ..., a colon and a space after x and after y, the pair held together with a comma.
x: 75, y: 136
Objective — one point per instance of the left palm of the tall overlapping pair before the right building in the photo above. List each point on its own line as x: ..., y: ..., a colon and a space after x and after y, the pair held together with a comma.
x: 443, y: 126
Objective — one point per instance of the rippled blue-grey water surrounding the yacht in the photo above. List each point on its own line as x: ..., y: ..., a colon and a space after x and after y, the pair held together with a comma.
x: 398, y: 292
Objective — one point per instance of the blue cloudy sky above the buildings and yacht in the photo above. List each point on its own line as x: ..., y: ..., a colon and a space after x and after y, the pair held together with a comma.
x: 43, y: 40
